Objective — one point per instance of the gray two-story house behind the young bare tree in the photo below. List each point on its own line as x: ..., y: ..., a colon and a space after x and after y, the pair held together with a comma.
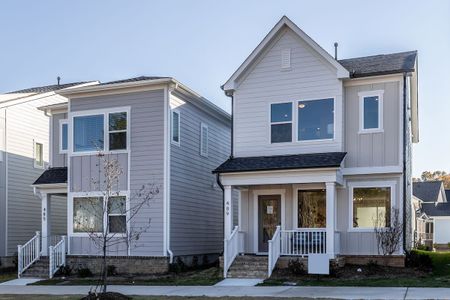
x: 162, y: 133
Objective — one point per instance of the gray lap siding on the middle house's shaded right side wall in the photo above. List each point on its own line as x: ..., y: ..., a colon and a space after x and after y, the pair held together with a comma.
x: 196, y: 207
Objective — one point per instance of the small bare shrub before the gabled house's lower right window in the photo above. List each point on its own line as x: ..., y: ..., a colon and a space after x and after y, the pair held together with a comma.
x: 388, y: 237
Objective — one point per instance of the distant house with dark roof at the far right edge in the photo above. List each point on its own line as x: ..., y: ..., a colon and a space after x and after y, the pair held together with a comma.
x: 432, y: 214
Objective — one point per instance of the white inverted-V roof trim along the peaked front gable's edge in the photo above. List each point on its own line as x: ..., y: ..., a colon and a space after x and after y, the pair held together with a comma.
x: 283, y: 23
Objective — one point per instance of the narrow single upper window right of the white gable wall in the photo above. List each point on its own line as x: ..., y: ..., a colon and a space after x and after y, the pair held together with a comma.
x: 371, y: 111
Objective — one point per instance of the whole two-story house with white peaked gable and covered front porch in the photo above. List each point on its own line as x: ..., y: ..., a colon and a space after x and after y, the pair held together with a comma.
x: 321, y: 152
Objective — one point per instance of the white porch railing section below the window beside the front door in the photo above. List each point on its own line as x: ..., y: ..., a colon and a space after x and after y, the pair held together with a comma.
x: 303, y: 241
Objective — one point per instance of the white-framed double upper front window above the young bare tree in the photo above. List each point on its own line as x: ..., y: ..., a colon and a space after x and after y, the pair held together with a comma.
x: 101, y: 131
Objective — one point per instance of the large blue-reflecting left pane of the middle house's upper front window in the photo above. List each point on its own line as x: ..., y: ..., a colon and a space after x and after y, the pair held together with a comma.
x: 88, y: 133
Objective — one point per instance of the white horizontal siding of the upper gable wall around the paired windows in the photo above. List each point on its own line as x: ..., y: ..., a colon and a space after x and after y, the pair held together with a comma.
x: 309, y: 77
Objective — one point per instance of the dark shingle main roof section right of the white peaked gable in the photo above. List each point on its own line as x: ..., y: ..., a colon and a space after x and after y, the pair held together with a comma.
x: 380, y: 64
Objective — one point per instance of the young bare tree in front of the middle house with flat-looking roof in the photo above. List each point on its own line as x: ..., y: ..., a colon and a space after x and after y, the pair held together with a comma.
x: 109, y: 222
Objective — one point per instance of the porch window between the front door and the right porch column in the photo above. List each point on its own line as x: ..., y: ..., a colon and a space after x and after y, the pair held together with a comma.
x: 312, y: 209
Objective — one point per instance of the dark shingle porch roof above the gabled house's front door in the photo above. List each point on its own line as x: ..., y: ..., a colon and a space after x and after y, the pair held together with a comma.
x: 299, y: 161
